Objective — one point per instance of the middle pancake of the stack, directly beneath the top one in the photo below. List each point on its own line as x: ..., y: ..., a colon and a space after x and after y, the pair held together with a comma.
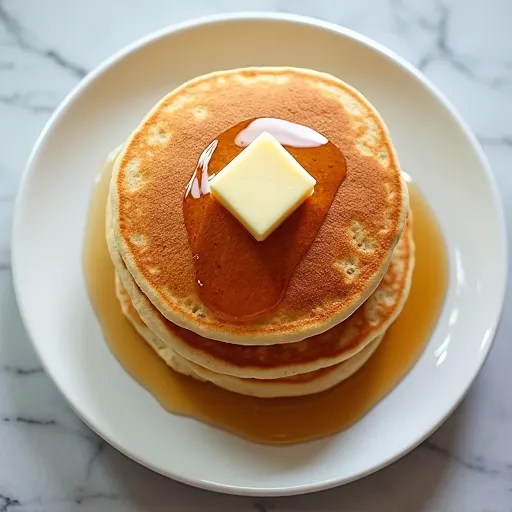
x: 278, y: 361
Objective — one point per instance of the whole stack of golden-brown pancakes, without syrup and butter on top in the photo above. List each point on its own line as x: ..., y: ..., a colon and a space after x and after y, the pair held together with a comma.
x: 345, y: 292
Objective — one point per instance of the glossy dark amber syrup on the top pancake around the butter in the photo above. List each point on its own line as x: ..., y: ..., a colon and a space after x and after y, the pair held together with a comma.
x: 237, y: 277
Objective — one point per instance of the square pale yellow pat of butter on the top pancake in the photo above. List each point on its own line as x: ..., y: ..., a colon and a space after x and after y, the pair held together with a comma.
x: 262, y: 186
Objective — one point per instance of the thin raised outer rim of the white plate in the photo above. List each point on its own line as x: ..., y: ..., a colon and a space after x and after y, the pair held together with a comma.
x: 296, y: 19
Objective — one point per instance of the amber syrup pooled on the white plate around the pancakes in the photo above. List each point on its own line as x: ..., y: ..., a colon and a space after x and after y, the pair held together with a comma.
x: 280, y: 421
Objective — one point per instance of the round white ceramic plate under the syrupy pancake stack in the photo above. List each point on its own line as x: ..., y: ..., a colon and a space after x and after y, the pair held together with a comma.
x: 435, y: 147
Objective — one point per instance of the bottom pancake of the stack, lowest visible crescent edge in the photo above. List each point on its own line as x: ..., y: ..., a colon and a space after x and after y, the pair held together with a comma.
x: 299, y: 385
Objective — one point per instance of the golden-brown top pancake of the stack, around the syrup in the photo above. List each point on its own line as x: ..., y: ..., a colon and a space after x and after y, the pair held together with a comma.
x: 353, y: 247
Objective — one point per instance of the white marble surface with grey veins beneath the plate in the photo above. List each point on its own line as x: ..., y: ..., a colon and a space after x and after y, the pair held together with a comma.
x: 49, y: 461
